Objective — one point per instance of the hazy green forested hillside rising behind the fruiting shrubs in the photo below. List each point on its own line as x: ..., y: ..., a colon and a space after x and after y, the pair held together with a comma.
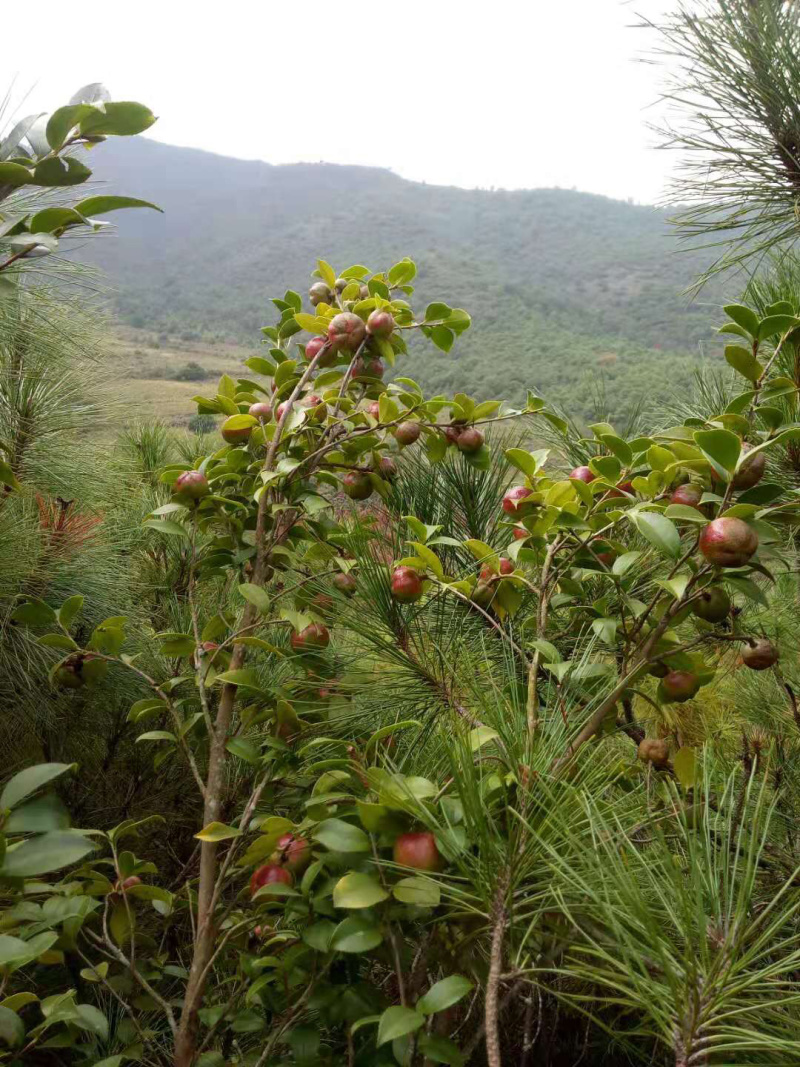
x: 577, y: 292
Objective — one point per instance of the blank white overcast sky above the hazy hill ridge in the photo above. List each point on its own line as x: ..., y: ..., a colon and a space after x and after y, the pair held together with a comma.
x: 506, y: 93
